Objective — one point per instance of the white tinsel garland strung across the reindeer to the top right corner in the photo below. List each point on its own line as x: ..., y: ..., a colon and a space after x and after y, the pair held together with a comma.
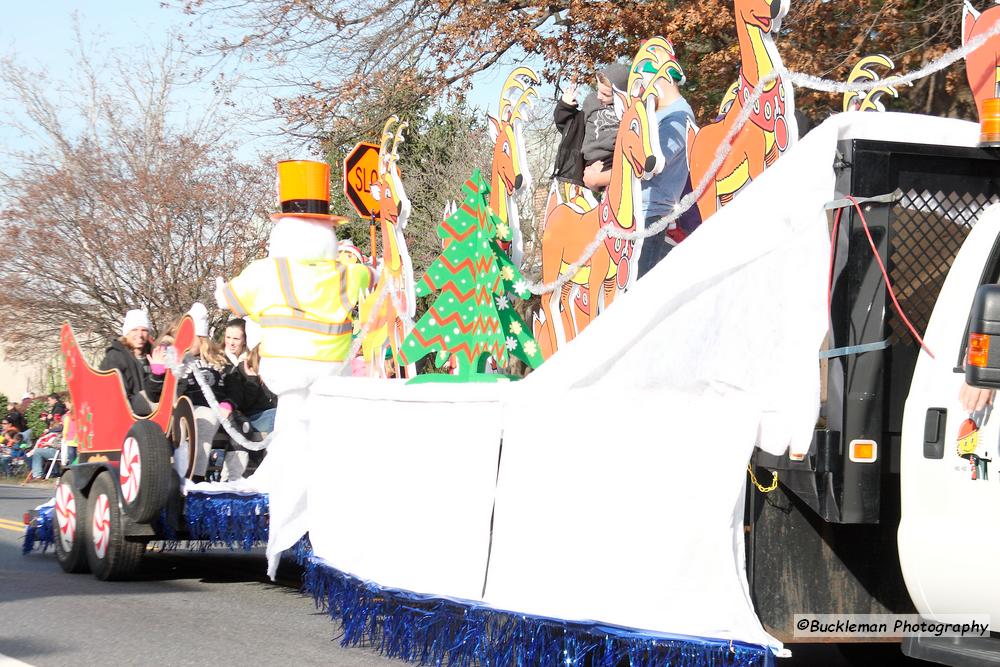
x: 722, y: 152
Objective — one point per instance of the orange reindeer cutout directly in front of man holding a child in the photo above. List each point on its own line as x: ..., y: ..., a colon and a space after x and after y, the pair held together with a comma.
x: 569, y: 229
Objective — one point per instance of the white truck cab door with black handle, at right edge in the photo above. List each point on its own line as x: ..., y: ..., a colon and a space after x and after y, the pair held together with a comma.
x: 949, y: 531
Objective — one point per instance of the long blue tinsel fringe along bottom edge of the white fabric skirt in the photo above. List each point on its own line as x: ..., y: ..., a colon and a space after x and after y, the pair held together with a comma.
x: 436, y: 631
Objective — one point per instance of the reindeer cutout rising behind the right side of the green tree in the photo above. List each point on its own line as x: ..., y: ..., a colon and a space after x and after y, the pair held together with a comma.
x: 509, y: 173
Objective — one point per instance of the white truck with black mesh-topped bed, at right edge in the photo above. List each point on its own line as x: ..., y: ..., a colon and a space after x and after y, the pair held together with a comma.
x: 896, y: 506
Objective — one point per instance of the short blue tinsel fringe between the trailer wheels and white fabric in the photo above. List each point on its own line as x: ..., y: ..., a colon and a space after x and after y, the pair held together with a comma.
x: 226, y: 519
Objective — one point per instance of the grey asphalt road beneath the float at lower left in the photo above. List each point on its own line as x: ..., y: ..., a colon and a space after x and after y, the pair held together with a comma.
x: 185, y: 608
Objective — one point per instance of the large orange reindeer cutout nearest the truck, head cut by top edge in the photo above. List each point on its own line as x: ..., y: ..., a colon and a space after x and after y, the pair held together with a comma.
x: 771, y: 128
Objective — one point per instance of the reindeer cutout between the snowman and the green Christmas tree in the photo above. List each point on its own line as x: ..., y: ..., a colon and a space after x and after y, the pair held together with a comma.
x: 386, y: 325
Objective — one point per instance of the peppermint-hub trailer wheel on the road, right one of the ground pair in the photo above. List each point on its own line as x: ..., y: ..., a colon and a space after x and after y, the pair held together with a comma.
x: 109, y: 554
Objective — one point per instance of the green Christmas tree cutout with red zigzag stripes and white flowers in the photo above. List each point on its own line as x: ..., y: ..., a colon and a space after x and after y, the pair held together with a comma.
x: 473, y: 316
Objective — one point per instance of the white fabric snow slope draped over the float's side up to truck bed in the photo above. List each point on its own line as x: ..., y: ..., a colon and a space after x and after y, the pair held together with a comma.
x: 620, y: 489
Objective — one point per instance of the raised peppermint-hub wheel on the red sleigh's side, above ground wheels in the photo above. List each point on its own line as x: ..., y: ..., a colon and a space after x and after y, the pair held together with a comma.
x: 144, y: 471
